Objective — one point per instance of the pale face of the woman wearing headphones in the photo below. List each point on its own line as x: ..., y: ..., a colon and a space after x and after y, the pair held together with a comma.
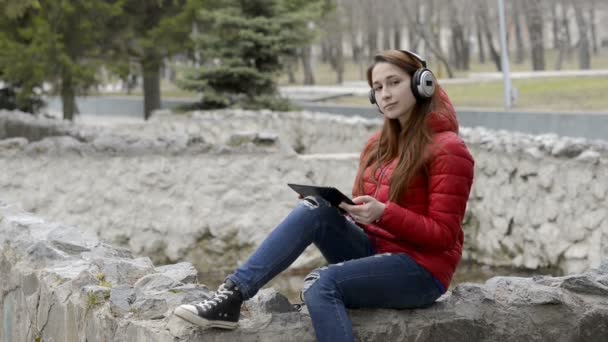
x: 393, y: 93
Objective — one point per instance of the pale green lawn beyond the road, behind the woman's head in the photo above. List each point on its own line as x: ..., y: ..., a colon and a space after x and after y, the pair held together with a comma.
x: 558, y: 94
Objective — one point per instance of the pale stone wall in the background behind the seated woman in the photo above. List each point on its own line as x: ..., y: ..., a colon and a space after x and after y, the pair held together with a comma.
x: 210, y: 185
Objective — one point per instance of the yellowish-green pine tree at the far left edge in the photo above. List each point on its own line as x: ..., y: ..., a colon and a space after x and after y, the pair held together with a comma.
x: 61, y: 42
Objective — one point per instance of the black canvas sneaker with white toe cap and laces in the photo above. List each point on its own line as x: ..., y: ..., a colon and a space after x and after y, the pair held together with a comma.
x: 220, y: 311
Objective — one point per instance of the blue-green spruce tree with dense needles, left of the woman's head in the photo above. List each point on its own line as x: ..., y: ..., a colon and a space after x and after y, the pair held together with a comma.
x: 243, y: 46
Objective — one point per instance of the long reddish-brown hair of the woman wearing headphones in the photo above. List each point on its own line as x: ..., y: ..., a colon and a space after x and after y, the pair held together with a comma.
x: 408, y: 143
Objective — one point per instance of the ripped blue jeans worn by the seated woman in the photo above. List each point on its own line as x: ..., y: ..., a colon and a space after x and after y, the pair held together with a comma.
x: 356, y: 278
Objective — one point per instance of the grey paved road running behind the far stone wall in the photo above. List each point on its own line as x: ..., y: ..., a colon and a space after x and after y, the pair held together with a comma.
x: 587, y: 125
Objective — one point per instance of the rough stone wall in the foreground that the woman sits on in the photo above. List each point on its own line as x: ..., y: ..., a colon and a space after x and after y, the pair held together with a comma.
x: 60, y: 283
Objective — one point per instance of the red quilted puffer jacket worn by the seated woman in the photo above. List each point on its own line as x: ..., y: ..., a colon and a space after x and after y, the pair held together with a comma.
x: 426, y: 223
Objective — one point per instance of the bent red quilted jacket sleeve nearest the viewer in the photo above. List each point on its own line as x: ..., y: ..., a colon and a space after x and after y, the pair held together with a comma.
x: 450, y: 176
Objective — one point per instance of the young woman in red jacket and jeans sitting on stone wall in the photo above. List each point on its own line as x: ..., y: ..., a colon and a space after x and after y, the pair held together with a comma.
x: 399, y: 245
